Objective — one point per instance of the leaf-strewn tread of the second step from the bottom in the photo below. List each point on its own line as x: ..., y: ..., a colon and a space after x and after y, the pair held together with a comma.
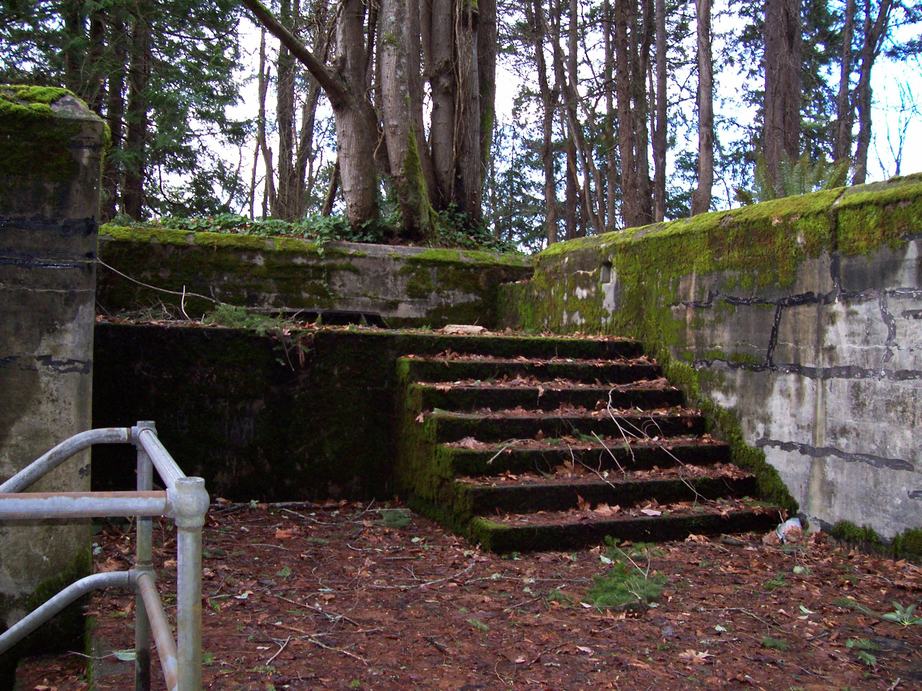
x: 581, y: 476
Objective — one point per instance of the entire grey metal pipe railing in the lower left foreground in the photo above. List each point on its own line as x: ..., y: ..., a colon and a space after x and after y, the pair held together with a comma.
x: 185, y: 500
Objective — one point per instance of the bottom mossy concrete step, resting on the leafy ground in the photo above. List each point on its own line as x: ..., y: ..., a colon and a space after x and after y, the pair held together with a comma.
x: 512, y: 534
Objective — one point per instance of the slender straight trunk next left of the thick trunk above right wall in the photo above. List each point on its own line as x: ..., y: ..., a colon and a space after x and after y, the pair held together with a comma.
x: 701, y: 198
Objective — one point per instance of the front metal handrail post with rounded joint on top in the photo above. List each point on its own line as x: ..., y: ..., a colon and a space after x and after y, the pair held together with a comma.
x: 190, y: 503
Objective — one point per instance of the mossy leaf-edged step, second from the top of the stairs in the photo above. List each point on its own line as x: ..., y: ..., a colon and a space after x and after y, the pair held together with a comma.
x: 621, y: 371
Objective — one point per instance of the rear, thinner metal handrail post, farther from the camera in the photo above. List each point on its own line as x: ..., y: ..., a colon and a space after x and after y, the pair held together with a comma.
x: 143, y: 564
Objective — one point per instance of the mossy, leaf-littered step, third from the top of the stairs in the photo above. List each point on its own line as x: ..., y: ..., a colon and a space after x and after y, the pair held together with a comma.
x: 548, y: 396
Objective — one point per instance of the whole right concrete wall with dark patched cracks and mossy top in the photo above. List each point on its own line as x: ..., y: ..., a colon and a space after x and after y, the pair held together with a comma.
x: 802, y: 316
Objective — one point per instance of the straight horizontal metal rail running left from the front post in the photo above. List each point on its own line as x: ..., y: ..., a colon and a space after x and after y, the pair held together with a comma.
x: 41, y: 505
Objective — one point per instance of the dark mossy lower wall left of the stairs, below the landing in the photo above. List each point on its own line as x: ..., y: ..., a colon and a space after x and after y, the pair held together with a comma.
x: 310, y: 415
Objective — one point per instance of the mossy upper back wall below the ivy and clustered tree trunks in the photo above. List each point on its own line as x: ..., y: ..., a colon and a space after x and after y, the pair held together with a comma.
x: 405, y: 286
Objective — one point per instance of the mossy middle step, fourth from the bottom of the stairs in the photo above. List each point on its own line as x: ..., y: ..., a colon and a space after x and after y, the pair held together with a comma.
x: 447, y: 426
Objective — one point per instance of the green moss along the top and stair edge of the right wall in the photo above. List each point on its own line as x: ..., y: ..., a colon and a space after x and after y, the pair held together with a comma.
x: 756, y: 248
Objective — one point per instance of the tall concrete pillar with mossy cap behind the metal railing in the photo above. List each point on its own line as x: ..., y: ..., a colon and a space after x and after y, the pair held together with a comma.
x: 51, y: 147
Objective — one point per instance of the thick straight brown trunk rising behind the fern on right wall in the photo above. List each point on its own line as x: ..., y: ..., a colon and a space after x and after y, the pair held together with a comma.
x: 783, y: 50
